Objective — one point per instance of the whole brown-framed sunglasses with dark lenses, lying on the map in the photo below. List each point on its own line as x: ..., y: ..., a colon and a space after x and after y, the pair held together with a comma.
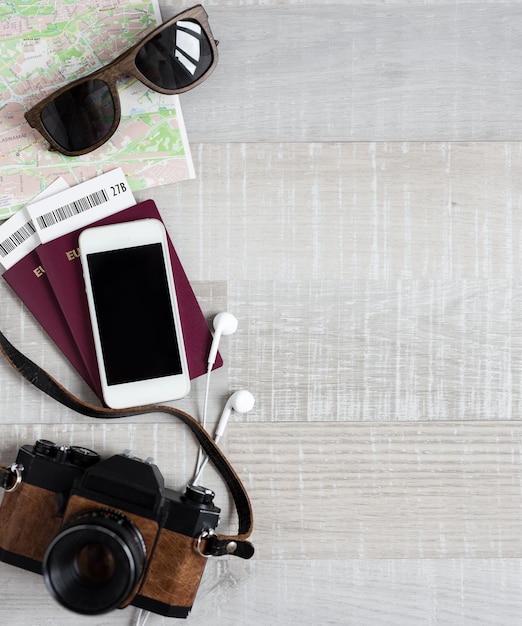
x: 173, y: 58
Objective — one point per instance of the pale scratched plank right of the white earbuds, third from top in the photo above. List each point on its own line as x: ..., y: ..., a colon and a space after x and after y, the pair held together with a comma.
x: 378, y: 350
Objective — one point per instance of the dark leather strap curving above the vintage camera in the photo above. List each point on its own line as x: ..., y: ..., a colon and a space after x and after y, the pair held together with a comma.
x: 215, y: 544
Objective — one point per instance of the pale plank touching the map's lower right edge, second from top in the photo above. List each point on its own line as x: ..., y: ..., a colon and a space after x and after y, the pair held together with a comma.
x: 349, y: 211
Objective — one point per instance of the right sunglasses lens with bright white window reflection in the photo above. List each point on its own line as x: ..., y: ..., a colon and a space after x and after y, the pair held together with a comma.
x: 177, y: 56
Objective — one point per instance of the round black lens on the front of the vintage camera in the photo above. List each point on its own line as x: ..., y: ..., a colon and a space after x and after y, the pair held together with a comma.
x: 94, y: 562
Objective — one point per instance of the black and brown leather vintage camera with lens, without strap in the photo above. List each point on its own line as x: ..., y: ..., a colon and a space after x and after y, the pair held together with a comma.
x: 106, y: 533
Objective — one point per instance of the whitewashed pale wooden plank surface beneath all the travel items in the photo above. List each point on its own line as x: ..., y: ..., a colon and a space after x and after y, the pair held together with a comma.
x: 358, y: 207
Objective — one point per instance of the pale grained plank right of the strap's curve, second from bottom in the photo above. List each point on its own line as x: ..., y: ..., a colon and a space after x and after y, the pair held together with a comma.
x: 364, y: 491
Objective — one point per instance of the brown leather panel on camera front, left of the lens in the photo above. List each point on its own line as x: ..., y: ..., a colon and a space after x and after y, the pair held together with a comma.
x: 29, y: 520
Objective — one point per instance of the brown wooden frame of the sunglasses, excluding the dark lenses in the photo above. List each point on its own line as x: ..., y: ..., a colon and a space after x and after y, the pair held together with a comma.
x: 125, y: 65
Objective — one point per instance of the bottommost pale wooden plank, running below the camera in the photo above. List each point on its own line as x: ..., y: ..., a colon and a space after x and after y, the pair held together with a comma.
x: 391, y: 592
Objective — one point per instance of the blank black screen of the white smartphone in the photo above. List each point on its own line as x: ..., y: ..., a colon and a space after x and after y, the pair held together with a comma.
x: 134, y: 314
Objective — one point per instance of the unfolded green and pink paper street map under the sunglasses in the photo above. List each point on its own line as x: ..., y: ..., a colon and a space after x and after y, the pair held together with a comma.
x: 44, y: 44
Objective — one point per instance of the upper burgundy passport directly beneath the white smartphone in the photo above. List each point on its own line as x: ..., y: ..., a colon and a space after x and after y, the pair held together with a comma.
x: 63, y: 269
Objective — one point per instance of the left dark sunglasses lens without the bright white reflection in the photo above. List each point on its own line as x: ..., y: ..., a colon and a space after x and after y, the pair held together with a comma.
x: 81, y: 116
